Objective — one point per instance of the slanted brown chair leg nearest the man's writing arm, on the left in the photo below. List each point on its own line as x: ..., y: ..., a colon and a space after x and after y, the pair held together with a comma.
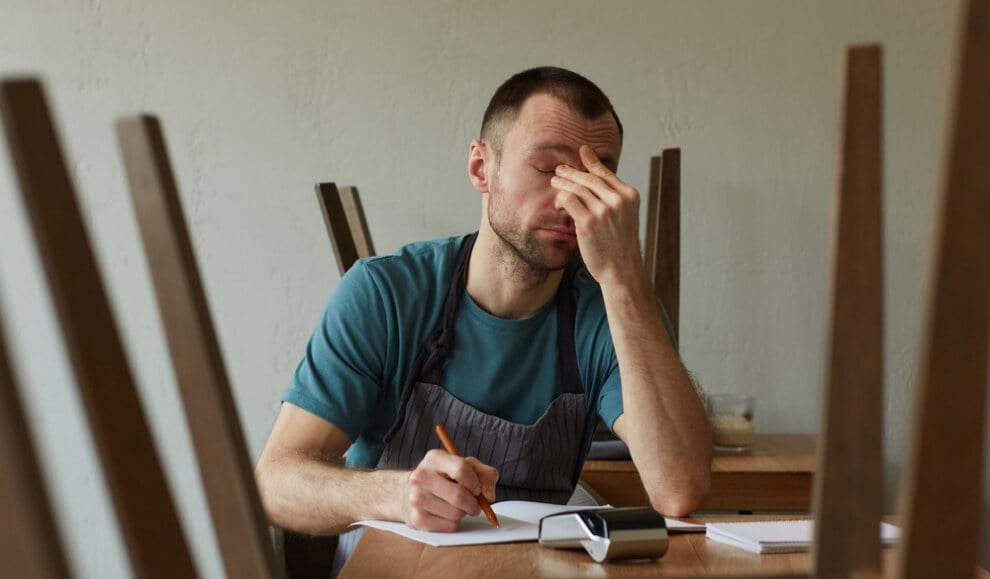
x: 224, y: 464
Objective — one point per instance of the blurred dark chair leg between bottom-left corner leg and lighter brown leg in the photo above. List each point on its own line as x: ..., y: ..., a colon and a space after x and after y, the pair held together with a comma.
x: 134, y: 475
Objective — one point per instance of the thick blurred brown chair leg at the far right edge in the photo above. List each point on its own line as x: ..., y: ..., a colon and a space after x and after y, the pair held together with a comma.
x: 944, y: 473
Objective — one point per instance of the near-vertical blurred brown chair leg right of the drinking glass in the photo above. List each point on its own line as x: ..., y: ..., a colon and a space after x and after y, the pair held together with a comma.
x: 848, y: 483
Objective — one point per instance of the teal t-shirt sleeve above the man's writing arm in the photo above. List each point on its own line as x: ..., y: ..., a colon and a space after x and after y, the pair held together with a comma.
x: 339, y: 378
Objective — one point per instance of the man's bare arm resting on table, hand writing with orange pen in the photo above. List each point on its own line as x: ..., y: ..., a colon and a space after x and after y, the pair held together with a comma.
x: 305, y: 487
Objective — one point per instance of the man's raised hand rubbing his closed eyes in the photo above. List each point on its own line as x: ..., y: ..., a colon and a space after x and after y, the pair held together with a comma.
x: 606, y: 216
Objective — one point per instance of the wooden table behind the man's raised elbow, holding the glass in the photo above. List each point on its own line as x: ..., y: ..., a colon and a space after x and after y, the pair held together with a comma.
x: 775, y: 476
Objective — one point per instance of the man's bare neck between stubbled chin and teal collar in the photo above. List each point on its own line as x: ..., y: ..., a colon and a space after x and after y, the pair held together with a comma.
x: 502, y: 284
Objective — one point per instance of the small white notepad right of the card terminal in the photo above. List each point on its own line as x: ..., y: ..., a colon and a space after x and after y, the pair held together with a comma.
x: 779, y: 536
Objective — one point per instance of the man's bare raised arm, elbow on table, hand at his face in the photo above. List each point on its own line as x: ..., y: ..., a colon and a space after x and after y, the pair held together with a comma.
x: 664, y: 421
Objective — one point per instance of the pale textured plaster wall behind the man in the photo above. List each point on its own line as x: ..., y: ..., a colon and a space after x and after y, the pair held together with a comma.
x: 262, y: 99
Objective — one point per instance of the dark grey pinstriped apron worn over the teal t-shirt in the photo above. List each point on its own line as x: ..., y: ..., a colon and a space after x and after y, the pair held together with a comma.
x: 536, y: 462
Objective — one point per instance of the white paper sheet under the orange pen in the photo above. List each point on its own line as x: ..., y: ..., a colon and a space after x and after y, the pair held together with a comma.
x: 518, y: 520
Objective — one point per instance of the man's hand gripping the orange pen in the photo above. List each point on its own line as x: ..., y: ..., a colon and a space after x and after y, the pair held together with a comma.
x: 444, y: 488
